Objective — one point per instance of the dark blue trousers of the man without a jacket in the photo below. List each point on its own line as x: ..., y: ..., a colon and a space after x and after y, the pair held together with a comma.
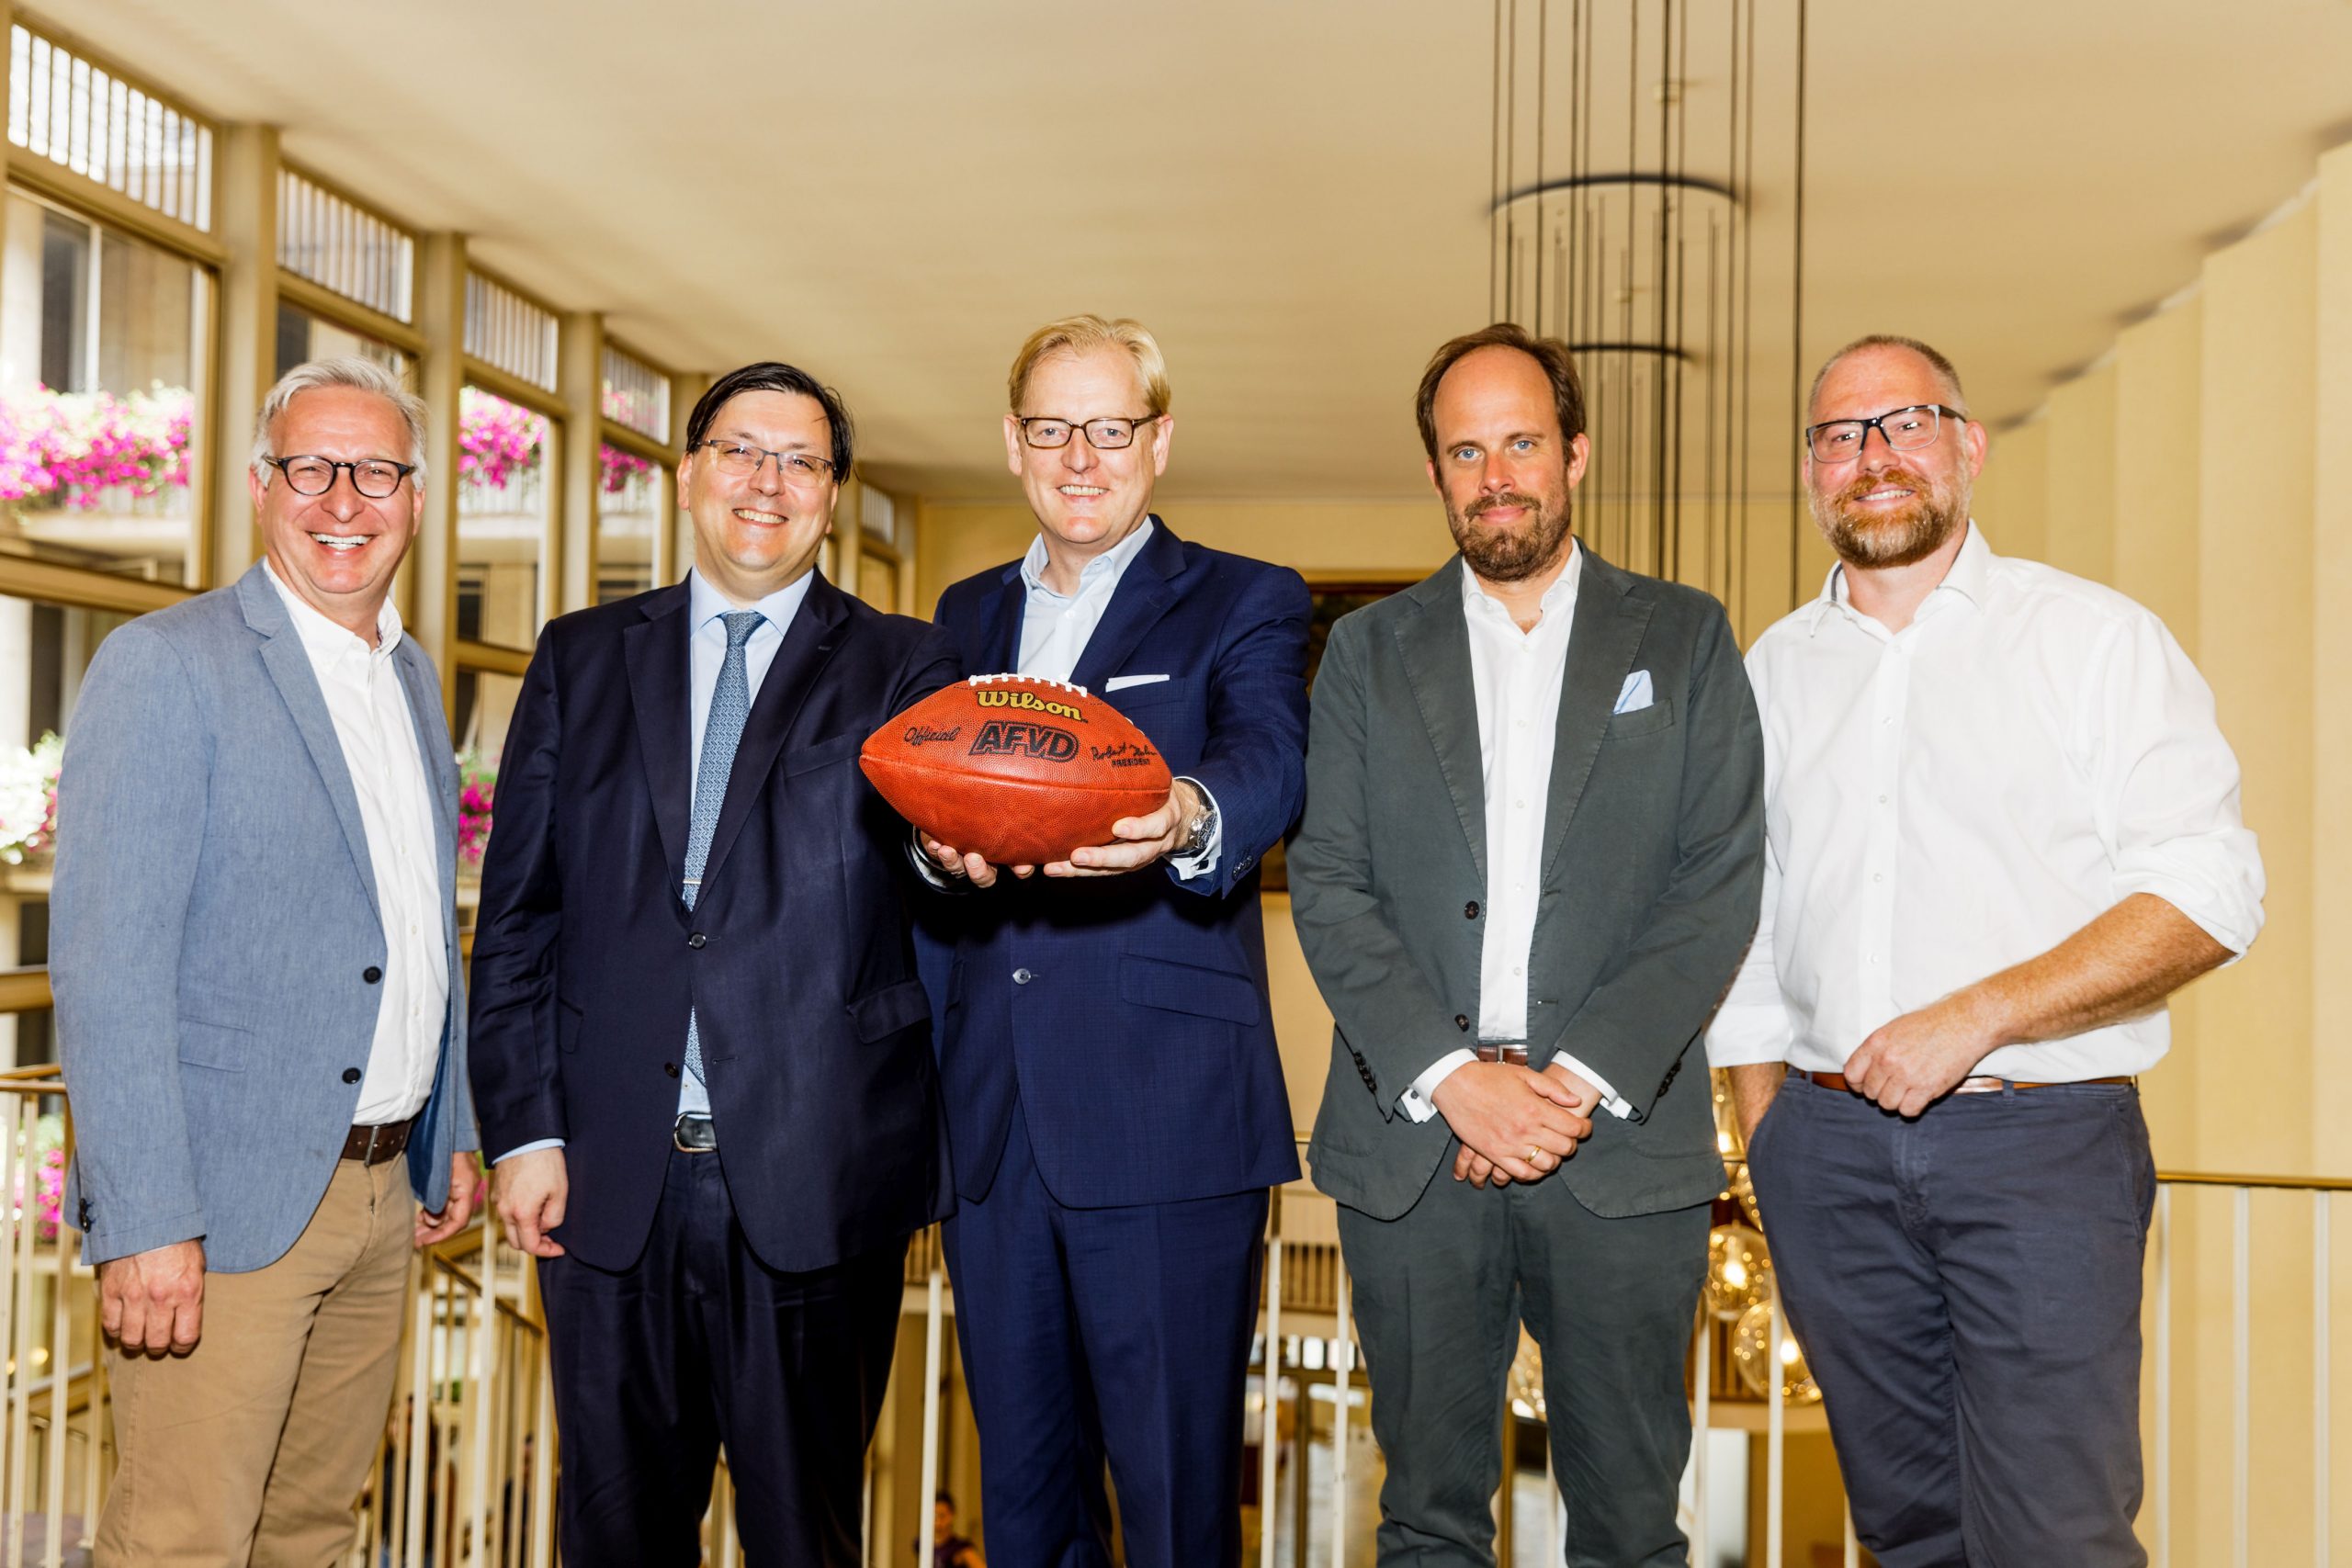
x: 1967, y: 1292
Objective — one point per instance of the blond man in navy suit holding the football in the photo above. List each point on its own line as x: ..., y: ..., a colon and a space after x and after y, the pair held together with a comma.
x: 1107, y: 1050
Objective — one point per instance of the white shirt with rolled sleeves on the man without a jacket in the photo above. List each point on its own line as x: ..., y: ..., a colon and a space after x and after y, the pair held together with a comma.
x: 1963, y: 796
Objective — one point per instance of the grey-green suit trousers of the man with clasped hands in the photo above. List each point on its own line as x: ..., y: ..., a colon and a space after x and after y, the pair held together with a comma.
x: 1438, y: 1304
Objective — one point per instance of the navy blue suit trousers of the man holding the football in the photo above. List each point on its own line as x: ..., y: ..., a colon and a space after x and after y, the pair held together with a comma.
x: 1107, y: 1332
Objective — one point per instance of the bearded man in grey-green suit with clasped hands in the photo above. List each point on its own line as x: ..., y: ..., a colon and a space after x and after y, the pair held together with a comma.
x: 1530, y: 862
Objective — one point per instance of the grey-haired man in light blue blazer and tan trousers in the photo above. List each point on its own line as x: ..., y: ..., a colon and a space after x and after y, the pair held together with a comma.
x: 260, y: 1000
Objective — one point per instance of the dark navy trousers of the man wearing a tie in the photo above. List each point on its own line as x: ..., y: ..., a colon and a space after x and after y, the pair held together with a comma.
x: 702, y: 1346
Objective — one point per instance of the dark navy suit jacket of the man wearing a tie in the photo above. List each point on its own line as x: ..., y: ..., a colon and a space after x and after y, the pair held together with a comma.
x: 796, y: 958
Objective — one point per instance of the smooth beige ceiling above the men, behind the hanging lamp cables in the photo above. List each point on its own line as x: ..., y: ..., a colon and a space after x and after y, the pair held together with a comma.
x: 1290, y: 192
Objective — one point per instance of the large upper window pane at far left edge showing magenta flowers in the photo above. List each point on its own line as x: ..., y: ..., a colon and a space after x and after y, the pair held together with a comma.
x: 102, y: 396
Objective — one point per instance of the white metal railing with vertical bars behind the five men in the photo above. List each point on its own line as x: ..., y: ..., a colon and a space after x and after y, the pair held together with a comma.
x: 467, y: 1473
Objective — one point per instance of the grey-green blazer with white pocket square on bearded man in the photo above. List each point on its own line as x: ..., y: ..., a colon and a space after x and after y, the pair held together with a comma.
x: 1652, y: 876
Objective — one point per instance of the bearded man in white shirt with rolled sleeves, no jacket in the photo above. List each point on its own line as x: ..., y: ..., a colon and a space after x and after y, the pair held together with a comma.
x: 2003, y: 831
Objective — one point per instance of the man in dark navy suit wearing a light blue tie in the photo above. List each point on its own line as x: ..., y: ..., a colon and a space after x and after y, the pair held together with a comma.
x: 702, y: 1050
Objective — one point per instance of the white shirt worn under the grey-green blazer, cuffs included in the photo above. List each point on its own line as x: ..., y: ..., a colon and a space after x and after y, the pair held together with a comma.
x: 1518, y: 678
